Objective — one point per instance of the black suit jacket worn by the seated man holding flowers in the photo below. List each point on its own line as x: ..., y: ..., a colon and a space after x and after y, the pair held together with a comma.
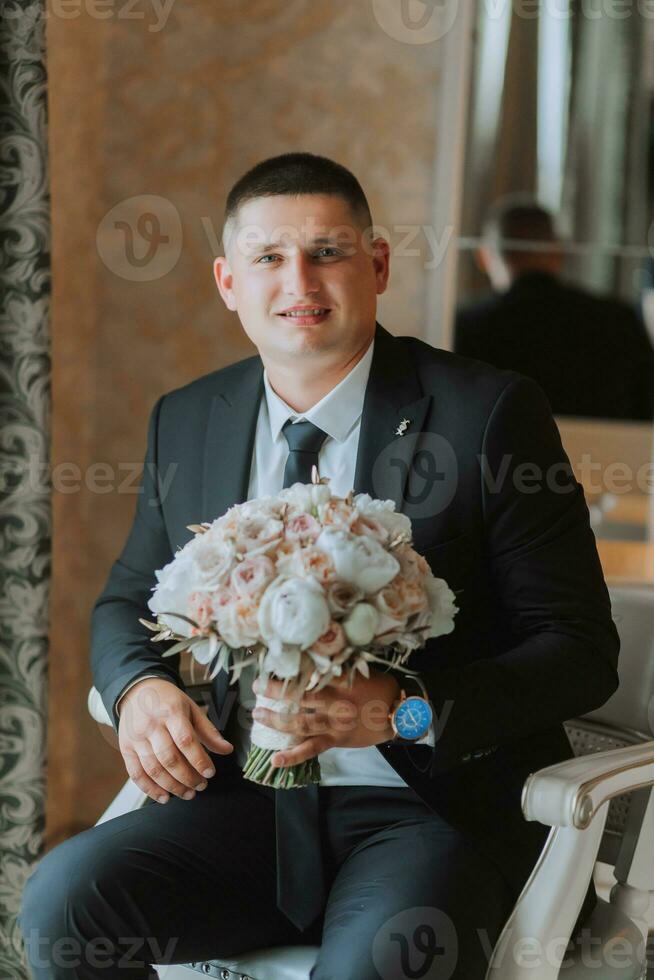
x: 534, y: 643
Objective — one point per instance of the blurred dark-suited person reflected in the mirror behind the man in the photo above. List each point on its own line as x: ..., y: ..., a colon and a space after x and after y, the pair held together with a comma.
x: 591, y: 355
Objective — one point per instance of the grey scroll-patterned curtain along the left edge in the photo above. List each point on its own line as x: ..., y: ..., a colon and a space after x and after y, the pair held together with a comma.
x: 25, y: 508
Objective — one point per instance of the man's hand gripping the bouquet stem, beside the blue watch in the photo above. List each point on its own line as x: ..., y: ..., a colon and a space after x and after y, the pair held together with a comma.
x: 338, y: 716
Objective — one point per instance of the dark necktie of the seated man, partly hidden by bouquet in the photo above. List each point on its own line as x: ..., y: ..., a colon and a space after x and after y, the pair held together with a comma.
x: 300, y: 878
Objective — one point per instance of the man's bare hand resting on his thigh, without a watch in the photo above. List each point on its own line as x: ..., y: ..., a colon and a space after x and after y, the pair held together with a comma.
x: 160, y: 732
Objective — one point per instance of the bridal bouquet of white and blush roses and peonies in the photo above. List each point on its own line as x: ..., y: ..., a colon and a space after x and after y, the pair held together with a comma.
x: 308, y: 587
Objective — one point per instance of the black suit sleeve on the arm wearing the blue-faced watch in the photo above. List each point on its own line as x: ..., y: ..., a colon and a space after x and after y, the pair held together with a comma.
x: 560, y: 658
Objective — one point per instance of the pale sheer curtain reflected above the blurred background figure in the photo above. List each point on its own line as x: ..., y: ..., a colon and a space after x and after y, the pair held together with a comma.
x: 562, y: 107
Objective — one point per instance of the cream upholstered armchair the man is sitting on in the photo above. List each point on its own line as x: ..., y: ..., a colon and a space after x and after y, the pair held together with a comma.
x: 597, y: 804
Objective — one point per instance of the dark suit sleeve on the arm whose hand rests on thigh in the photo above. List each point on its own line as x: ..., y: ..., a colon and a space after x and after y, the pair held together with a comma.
x: 121, y: 648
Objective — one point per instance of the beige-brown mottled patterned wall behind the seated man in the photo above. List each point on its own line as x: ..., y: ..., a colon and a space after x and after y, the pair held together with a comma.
x: 177, y: 110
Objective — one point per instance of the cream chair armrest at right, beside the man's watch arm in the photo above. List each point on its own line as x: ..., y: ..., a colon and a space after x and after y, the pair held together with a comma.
x: 570, y: 793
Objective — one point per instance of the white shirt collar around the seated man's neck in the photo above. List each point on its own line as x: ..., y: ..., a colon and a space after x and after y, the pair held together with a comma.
x: 336, y: 413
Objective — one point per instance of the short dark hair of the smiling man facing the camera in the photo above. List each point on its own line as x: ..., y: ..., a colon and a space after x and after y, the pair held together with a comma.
x: 298, y: 173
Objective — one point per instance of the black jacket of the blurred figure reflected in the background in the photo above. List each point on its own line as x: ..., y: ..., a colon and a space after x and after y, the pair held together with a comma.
x: 591, y: 355
